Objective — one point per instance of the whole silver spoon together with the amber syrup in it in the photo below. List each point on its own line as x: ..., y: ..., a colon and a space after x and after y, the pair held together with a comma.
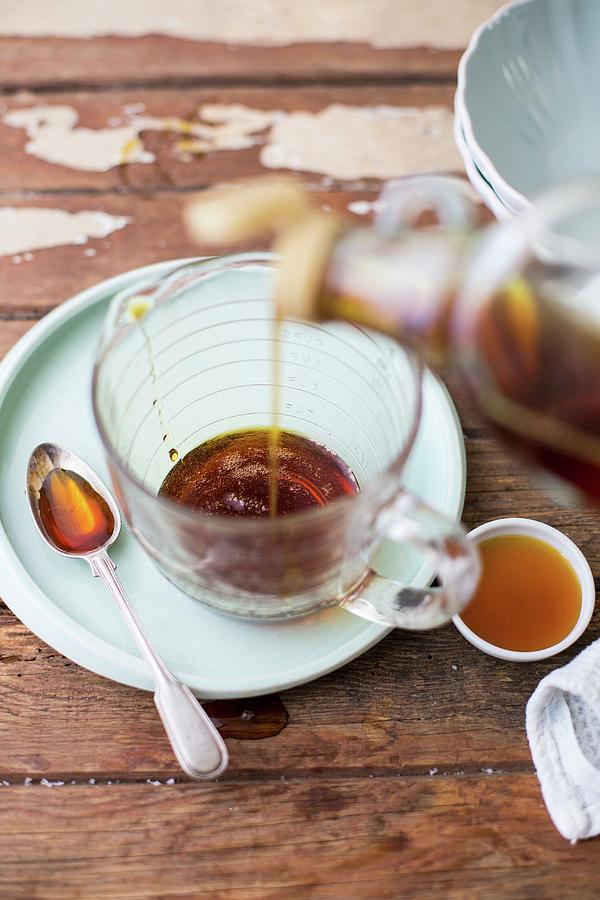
x: 78, y: 518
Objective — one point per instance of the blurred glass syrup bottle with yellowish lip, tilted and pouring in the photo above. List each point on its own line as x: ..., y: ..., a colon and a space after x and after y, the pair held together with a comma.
x: 515, y: 307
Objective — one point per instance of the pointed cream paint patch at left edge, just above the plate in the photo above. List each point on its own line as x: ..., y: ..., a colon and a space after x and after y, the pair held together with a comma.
x: 33, y: 228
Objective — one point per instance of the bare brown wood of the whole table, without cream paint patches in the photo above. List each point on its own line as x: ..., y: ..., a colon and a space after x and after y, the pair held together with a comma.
x: 405, y: 774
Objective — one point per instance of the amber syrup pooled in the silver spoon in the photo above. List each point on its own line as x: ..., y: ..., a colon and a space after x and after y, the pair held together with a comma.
x: 75, y: 516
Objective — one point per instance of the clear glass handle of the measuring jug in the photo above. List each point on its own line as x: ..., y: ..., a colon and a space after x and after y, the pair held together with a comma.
x: 379, y: 599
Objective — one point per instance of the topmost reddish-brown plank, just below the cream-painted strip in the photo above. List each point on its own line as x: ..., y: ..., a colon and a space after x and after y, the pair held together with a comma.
x: 43, y: 62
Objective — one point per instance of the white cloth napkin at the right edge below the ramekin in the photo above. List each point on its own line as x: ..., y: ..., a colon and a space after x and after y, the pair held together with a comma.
x: 563, y: 727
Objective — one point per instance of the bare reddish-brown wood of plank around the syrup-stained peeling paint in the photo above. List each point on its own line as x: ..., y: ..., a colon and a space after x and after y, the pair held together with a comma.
x: 21, y: 171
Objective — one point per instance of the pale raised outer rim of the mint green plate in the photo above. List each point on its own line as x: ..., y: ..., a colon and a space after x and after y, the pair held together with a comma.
x: 36, y: 610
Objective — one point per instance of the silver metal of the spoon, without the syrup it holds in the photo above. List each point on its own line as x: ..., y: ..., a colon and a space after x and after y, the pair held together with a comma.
x: 198, y: 746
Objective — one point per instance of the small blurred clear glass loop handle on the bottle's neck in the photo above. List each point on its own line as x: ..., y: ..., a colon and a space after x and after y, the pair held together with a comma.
x: 403, y: 200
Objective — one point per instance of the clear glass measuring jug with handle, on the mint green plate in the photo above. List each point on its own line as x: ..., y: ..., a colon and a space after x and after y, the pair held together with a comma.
x: 189, y: 356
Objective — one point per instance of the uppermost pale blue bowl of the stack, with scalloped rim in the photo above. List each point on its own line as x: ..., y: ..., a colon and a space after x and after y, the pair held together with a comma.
x: 528, y: 96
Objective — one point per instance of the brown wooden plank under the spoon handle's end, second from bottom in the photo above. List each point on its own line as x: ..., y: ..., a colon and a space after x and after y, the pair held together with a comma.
x: 413, y: 703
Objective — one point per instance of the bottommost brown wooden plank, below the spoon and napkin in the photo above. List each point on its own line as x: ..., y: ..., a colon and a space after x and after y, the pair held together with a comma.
x: 366, y: 838
